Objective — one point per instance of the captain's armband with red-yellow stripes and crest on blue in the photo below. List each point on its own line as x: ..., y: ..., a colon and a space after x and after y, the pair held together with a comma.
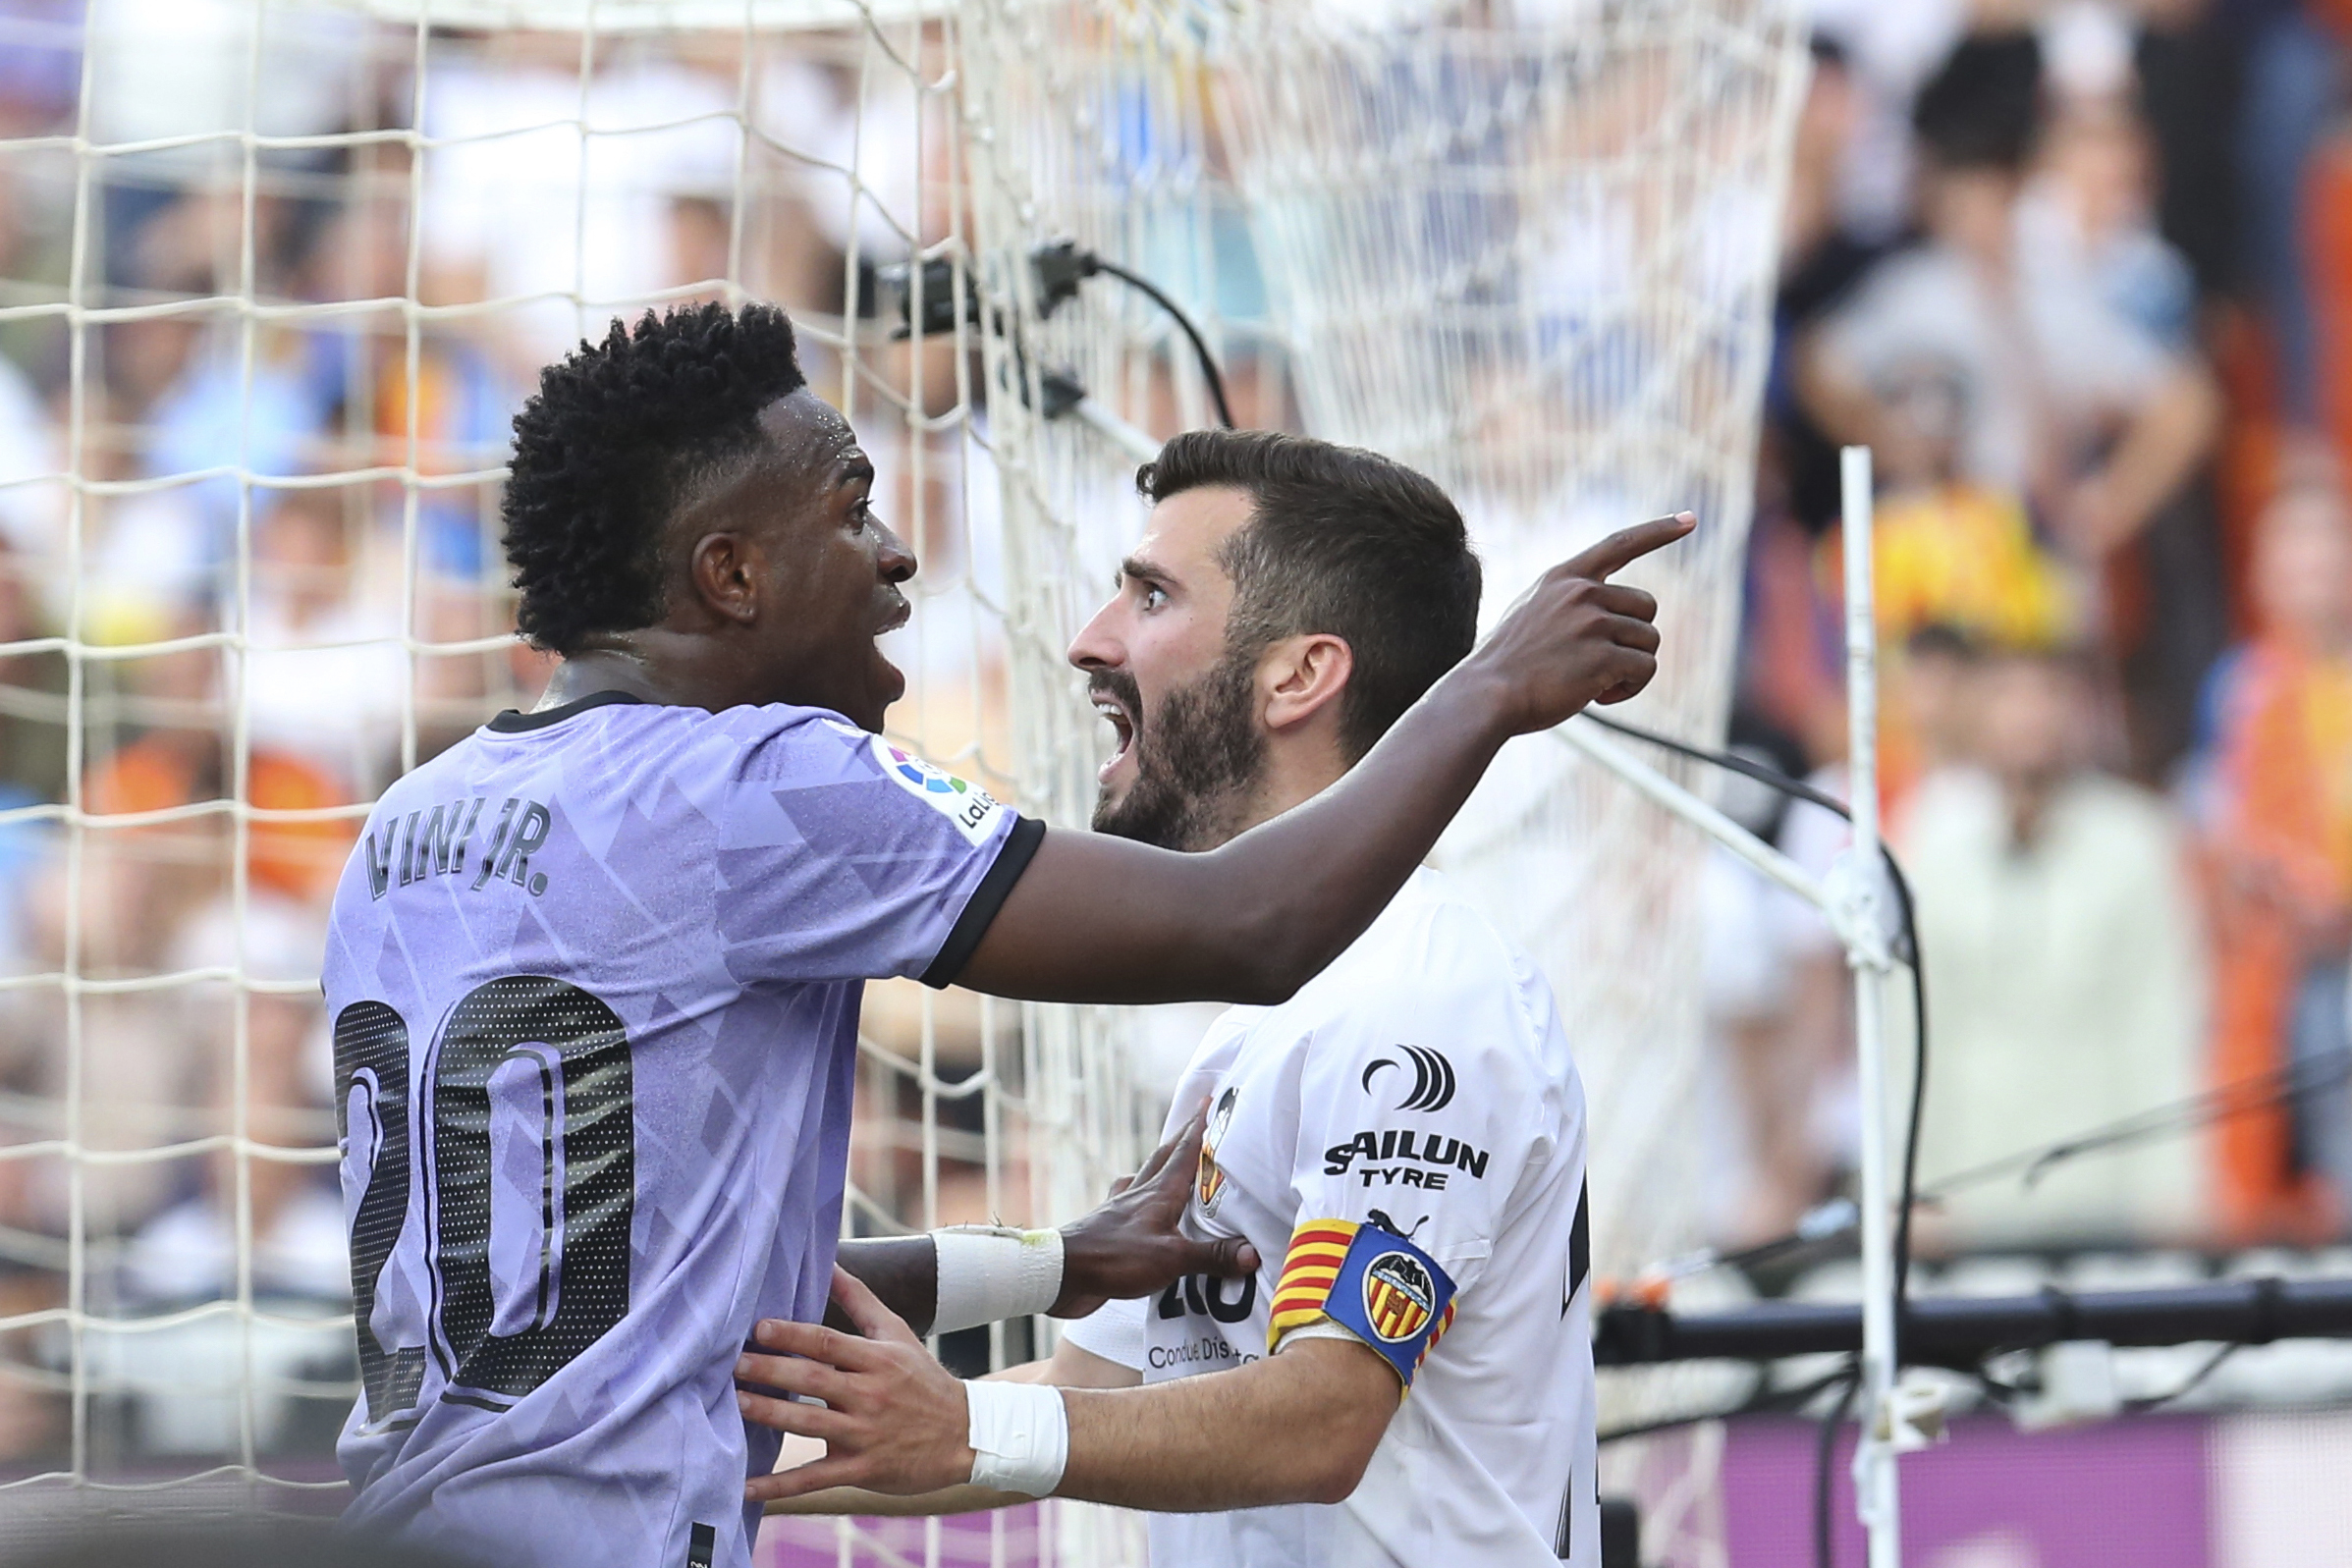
x: 1372, y: 1282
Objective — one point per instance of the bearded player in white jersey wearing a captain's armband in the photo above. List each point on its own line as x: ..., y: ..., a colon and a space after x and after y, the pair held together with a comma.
x: 1408, y: 1379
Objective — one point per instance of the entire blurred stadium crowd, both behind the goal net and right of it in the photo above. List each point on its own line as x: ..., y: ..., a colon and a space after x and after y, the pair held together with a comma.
x: 2076, y: 272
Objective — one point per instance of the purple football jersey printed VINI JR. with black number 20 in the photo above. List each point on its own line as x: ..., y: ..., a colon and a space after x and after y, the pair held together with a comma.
x: 594, y: 981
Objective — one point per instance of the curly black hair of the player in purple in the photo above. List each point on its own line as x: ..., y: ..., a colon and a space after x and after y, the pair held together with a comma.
x: 610, y: 448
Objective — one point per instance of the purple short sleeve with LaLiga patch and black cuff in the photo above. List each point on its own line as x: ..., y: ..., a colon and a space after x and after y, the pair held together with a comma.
x: 843, y: 857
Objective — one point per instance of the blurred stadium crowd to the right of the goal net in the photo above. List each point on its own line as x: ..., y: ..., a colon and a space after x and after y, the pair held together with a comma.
x: 2073, y: 274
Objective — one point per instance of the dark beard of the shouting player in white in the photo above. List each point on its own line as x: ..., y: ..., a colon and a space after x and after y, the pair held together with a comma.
x: 1196, y: 760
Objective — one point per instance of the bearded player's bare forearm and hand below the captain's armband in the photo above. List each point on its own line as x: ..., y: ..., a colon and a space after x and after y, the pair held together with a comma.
x: 1290, y: 1428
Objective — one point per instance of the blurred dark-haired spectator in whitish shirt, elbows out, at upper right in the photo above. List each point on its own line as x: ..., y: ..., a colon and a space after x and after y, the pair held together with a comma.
x: 2071, y: 406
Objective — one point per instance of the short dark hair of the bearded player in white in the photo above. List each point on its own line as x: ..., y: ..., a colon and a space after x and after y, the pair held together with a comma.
x: 1339, y: 542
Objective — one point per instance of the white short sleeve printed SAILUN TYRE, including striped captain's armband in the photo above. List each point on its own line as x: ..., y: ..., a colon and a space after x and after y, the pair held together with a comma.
x: 1417, y: 1120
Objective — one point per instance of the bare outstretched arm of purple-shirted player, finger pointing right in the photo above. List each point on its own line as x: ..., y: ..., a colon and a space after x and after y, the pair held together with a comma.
x: 1107, y: 920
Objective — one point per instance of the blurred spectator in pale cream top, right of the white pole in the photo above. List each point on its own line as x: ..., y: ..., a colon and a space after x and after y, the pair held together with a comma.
x: 2064, y: 967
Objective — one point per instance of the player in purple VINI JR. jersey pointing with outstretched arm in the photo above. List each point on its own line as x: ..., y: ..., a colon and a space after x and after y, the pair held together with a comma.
x: 596, y: 970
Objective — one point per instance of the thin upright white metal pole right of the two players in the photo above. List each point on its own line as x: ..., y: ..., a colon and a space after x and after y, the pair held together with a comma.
x: 1873, y: 1456
